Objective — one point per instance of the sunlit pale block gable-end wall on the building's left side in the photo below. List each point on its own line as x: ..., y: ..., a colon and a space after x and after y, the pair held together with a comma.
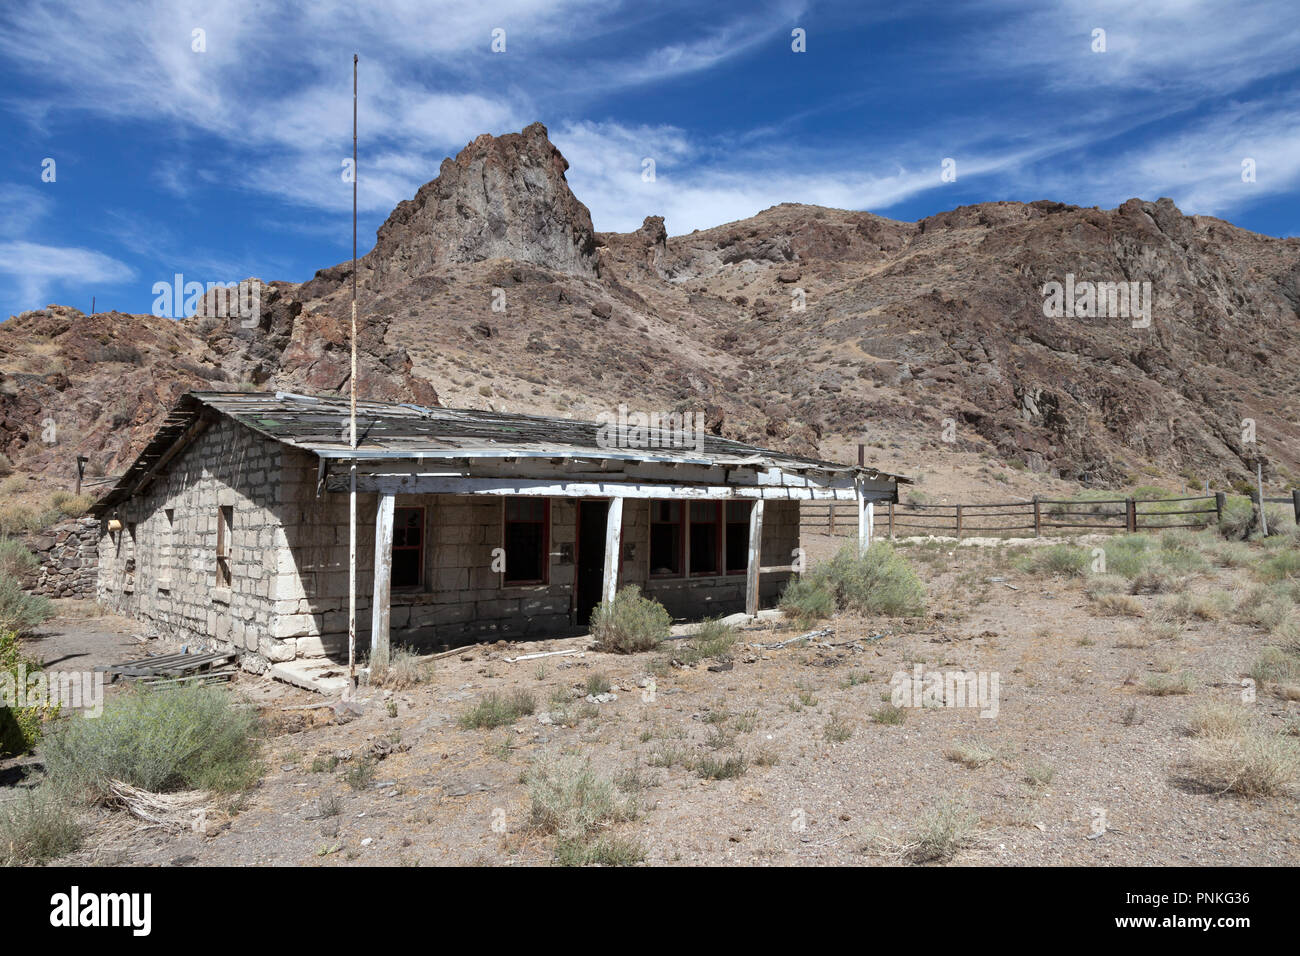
x: 164, y: 570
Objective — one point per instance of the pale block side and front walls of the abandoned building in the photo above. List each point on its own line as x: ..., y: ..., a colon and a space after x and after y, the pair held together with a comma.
x: 289, y: 561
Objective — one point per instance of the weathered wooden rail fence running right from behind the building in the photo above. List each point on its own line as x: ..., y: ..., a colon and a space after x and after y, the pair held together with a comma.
x: 1028, y: 518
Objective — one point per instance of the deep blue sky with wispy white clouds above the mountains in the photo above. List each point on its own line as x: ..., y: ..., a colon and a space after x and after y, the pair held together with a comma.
x: 226, y: 163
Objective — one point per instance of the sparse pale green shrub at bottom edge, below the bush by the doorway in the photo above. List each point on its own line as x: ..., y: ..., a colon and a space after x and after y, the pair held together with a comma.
x: 570, y: 801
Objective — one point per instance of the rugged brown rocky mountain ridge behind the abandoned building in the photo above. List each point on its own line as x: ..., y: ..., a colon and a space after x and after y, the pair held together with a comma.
x: 801, y: 328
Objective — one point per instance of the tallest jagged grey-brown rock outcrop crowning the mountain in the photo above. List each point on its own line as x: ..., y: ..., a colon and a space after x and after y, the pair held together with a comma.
x: 501, y: 198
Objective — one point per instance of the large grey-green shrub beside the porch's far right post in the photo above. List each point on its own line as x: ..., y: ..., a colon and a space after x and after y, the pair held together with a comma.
x: 878, y: 582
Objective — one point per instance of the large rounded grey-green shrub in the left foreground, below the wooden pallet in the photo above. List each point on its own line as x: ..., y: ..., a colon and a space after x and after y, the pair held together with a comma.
x: 192, y: 737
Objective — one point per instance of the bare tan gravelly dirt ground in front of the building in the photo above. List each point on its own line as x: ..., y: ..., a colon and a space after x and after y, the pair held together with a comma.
x: 824, y: 781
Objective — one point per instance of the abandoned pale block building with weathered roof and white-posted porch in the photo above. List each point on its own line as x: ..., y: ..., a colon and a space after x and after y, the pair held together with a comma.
x: 232, y: 527
